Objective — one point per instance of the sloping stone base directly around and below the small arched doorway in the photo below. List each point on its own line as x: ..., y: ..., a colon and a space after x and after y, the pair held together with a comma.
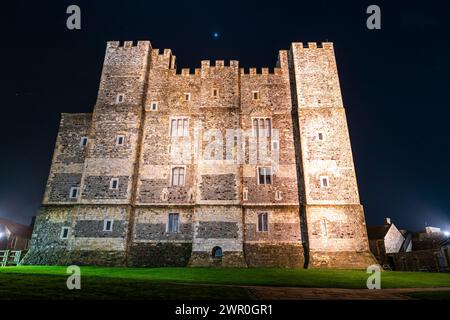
x: 229, y: 259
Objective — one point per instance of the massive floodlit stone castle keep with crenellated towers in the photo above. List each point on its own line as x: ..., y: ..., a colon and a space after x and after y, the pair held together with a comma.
x: 217, y: 166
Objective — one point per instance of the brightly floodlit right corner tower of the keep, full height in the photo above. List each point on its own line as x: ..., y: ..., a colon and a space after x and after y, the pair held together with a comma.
x: 330, y: 206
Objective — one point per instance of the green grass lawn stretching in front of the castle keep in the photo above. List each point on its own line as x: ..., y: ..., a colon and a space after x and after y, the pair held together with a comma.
x: 189, y: 283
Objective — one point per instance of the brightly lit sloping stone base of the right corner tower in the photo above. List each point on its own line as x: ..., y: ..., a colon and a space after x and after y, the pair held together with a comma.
x: 341, y: 260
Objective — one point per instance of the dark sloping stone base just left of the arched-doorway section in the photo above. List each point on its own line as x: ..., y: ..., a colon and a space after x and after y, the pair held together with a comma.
x: 159, y: 254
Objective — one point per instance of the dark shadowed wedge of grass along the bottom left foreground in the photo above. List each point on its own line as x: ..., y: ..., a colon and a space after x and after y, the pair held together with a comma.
x: 53, y: 287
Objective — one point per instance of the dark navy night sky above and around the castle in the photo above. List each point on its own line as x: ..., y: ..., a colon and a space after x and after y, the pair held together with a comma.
x: 395, y: 84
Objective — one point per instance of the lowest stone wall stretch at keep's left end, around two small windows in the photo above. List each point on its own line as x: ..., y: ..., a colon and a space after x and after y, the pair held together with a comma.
x: 86, y: 243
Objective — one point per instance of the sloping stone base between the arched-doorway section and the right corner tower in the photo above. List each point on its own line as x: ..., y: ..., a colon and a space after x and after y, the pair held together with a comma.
x: 274, y: 255
